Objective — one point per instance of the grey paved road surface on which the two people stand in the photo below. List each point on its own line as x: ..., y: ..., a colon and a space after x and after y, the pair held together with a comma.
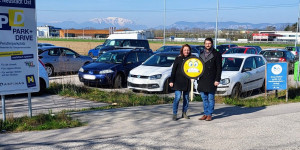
x: 151, y: 127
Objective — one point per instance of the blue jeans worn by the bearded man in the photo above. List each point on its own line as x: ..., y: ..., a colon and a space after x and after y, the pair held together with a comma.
x: 208, y: 102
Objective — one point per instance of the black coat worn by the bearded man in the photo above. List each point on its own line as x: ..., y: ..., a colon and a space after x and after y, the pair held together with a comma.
x: 212, y: 71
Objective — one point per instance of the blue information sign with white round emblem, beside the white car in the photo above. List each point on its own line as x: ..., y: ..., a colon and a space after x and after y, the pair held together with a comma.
x: 277, y: 76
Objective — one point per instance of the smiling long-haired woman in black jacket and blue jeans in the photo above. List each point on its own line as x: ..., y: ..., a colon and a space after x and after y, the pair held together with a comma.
x: 180, y: 83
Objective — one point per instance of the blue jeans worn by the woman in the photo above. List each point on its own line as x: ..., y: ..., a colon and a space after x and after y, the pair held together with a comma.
x: 177, y: 99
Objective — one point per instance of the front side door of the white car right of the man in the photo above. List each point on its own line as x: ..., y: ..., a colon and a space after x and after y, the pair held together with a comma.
x: 248, y: 74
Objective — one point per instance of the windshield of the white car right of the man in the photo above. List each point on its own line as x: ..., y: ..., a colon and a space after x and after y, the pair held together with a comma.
x: 231, y: 63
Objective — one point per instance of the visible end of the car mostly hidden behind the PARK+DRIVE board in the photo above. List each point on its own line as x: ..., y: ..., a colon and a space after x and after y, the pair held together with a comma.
x: 44, y: 79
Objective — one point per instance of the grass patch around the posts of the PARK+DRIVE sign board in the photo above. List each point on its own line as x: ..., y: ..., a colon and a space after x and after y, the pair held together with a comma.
x: 39, y: 122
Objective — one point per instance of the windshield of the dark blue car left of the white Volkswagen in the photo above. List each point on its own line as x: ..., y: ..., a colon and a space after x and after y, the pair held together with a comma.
x: 112, y: 57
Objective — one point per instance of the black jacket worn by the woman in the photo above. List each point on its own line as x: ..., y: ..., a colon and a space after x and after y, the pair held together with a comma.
x: 180, y: 81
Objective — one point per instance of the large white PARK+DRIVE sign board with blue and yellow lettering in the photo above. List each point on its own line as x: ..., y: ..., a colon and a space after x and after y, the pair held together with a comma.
x: 18, y: 47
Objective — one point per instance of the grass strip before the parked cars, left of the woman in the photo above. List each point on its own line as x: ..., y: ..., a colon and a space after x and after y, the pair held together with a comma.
x: 119, y: 99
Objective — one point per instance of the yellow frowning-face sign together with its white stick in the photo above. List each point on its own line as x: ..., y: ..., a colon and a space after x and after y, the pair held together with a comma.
x: 192, y: 68
